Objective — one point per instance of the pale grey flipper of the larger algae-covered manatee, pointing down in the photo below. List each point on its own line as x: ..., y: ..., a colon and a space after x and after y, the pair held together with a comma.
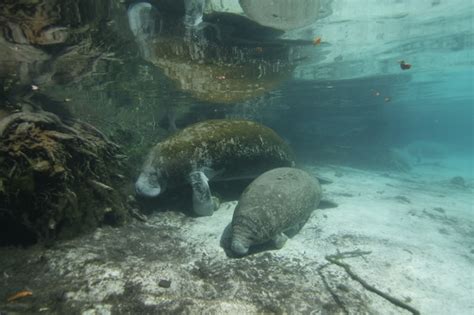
x: 203, y: 204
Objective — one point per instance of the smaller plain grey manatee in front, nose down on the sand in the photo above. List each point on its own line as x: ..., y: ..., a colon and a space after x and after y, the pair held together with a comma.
x: 274, y: 205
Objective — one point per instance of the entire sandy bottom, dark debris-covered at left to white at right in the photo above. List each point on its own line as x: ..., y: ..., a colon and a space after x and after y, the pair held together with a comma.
x: 417, y: 226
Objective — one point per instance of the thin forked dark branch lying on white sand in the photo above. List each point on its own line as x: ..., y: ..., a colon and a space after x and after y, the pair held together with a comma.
x: 335, y: 259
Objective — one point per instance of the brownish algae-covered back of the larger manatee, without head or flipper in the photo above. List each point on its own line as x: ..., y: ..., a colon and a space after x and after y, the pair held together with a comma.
x: 234, y: 148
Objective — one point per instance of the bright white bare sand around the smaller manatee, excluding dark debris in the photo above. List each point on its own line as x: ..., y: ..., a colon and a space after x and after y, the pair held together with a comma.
x: 418, y: 227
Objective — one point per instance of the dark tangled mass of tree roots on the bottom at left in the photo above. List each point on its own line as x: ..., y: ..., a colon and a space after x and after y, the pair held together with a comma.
x: 57, y: 179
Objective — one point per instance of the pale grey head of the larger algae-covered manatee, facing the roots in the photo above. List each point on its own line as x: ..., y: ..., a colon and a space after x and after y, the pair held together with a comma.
x: 150, y: 183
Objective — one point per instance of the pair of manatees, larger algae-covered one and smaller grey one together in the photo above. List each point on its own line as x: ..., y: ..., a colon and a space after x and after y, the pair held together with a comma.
x: 276, y: 203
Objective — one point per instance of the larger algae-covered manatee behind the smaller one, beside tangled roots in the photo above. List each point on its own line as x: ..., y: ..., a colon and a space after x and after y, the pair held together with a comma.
x: 212, y: 150
